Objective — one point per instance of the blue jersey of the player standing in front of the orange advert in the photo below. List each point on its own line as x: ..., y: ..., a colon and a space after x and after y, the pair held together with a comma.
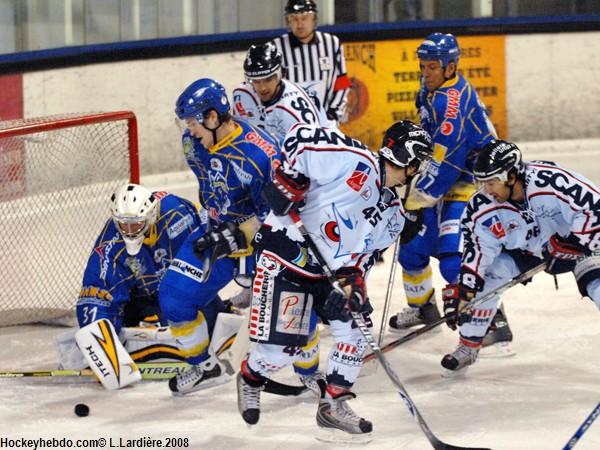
x: 458, y: 124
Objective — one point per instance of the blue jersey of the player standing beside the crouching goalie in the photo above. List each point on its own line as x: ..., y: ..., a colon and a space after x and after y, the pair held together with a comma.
x: 231, y: 174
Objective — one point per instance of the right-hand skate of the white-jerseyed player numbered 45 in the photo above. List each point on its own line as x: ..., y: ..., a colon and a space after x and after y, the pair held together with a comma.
x: 339, y: 423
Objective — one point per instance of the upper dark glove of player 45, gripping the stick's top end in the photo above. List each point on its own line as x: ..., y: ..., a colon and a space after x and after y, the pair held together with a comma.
x: 286, y: 190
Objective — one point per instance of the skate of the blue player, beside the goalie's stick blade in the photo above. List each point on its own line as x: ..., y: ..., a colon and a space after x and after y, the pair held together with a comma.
x: 211, y: 372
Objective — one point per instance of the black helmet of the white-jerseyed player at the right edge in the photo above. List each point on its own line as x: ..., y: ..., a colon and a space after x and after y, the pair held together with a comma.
x: 497, y: 160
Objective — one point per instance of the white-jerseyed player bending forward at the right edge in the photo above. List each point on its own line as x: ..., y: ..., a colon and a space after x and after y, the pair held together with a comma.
x: 523, y: 212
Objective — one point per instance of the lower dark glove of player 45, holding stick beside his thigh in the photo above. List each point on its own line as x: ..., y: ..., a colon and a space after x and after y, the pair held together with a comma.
x: 338, y: 306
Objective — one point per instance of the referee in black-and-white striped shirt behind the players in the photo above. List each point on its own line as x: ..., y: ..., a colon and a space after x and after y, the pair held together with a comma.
x: 314, y: 59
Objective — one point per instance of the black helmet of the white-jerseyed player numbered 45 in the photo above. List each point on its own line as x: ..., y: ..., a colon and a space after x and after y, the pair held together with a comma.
x: 405, y: 143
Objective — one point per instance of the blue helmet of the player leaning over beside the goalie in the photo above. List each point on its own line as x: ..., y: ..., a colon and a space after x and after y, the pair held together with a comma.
x: 200, y: 97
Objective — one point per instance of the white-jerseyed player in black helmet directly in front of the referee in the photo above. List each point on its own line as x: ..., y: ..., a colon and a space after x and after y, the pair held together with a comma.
x: 268, y: 101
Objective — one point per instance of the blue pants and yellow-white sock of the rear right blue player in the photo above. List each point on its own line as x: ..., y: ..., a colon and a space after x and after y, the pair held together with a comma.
x: 440, y: 237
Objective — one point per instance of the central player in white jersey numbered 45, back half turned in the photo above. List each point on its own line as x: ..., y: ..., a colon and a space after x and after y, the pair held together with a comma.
x: 348, y: 204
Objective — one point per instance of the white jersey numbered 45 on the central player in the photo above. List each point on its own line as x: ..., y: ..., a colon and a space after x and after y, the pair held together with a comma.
x: 345, y: 212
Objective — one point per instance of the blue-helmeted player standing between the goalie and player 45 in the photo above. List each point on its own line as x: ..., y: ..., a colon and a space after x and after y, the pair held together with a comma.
x: 232, y: 161
